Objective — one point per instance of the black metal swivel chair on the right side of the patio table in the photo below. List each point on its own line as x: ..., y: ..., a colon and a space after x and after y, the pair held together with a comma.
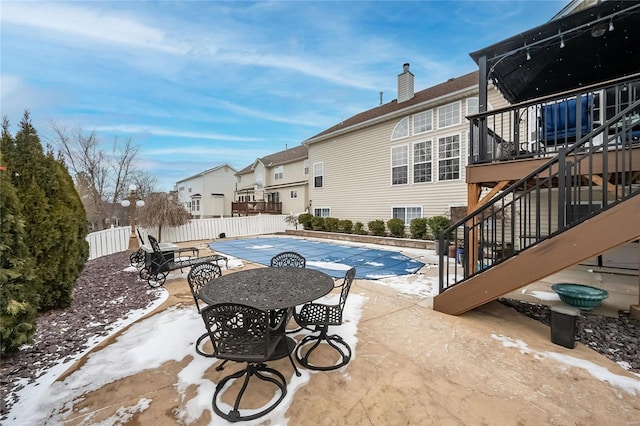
x: 321, y: 316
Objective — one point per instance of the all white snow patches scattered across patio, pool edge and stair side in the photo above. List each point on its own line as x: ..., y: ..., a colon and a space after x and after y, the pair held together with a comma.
x: 143, y: 346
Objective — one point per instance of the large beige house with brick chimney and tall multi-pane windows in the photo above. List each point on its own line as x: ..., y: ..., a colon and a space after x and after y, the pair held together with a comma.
x: 405, y: 159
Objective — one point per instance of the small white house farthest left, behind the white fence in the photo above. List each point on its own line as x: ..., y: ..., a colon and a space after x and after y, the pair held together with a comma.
x: 209, y: 193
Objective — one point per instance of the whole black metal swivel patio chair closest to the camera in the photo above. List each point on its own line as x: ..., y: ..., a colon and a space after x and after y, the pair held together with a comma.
x: 243, y: 333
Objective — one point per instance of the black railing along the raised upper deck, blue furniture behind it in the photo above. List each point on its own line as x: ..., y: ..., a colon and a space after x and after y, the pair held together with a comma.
x: 543, y: 126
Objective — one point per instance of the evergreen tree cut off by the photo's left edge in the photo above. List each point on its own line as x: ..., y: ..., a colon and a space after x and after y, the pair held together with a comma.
x: 18, y: 299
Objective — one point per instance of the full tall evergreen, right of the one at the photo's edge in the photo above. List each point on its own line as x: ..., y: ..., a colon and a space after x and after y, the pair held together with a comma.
x: 55, y: 225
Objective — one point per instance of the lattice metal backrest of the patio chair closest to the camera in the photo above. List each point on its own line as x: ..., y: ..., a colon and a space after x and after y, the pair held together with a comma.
x: 239, y: 332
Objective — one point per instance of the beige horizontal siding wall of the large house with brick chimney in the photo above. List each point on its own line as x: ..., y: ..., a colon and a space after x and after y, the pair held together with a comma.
x: 357, y: 173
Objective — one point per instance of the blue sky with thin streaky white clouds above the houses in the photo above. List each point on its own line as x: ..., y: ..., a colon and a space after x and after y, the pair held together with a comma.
x: 196, y: 84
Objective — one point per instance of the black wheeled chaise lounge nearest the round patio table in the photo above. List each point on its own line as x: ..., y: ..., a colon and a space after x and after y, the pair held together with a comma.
x: 160, y: 262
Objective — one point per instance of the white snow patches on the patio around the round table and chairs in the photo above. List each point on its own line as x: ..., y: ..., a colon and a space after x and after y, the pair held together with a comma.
x: 144, y: 346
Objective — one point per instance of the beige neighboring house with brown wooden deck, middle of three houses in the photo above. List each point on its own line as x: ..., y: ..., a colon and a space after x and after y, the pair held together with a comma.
x: 276, y: 183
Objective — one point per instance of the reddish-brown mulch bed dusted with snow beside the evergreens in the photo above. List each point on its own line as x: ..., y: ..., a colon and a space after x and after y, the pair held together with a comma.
x: 104, y: 294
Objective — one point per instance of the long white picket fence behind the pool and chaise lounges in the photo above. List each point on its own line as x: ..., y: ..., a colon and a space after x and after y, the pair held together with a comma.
x: 114, y: 240
